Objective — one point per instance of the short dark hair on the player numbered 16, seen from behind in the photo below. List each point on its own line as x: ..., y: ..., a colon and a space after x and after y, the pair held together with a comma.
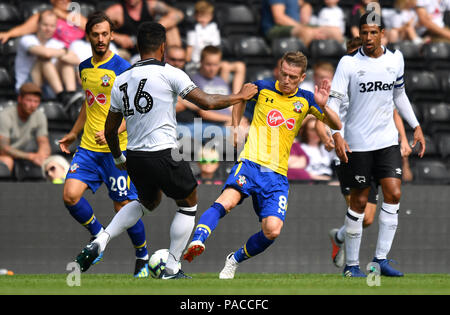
x: 151, y: 35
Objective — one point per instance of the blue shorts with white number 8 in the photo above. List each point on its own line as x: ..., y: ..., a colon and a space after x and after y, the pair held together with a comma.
x: 269, y: 190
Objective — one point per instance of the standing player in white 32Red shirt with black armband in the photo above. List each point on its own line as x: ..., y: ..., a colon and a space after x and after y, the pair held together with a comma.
x: 372, y: 77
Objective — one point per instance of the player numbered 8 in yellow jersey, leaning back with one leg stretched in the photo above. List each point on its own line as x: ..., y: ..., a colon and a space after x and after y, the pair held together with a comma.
x: 260, y: 172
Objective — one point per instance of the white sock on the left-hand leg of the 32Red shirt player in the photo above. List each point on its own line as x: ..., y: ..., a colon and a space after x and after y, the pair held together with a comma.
x: 353, y: 234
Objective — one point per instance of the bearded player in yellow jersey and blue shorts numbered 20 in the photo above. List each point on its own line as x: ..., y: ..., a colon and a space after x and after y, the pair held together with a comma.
x: 93, y: 163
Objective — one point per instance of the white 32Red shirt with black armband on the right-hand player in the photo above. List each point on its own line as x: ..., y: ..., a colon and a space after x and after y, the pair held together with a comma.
x: 371, y: 85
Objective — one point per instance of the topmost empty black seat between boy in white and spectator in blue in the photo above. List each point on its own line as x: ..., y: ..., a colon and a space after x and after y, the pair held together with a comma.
x: 236, y: 19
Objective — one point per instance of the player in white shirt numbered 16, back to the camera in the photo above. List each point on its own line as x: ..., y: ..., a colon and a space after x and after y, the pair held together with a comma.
x: 146, y: 96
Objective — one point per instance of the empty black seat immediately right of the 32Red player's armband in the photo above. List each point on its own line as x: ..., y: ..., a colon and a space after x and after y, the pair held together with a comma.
x: 423, y: 85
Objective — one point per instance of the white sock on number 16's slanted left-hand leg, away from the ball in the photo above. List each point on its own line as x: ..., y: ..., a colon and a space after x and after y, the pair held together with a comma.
x: 122, y: 221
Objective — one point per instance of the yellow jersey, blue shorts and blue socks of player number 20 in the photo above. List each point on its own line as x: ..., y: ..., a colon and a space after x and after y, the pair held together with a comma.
x: 93, y: 163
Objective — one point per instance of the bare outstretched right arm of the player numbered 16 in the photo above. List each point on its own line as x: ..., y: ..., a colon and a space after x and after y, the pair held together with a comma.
x: 216, y: 101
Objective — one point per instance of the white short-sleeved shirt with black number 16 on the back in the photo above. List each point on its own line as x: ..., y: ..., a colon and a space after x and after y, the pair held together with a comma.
x: 146, y: 94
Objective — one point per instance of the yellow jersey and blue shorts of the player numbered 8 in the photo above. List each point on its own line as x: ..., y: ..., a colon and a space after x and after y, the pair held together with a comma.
x: 262, y: 165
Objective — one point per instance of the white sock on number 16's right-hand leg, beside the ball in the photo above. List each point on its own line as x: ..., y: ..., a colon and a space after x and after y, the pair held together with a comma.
x: 180, y: 231
